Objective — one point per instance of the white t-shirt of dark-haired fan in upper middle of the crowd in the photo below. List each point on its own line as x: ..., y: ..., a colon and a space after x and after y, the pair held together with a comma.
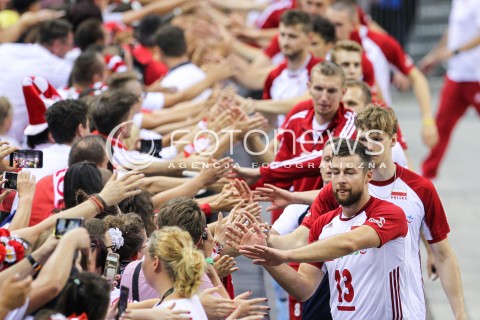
x: 184, y: 76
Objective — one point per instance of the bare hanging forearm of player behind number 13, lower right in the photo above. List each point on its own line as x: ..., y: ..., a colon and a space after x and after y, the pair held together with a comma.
x: 449, y: 273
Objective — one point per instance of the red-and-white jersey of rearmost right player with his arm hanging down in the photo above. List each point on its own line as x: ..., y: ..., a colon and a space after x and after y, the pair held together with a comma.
x: 386, y: 52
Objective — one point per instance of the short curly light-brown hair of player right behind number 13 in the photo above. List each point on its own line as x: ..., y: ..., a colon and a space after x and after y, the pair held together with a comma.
x: 376, y: 117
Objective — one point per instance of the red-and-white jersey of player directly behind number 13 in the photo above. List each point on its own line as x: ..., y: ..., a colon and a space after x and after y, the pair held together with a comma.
x: 423, y: 209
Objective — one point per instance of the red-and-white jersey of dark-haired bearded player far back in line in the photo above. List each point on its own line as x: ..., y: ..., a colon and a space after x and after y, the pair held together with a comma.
x: 282, y: 83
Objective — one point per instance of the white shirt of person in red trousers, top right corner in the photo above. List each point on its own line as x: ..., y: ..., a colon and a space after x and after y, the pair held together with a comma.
x: 464, y: 26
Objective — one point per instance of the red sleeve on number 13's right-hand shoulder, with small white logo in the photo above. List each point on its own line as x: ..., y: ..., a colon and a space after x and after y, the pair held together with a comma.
x: 387, y: 220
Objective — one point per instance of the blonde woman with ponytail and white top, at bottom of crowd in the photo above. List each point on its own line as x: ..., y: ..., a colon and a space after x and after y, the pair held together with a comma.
x: 173, y: 267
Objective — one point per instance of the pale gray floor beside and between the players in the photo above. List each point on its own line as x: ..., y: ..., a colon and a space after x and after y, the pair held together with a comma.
x: 458, y: 184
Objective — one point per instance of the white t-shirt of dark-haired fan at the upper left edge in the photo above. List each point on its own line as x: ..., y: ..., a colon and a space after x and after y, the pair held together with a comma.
x: 23, y: 60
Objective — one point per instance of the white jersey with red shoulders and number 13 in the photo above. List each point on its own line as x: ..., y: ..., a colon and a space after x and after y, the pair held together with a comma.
x: 370, y: 283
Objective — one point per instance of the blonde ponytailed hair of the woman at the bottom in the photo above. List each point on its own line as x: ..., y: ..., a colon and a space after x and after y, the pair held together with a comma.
x: 184, y: 264
